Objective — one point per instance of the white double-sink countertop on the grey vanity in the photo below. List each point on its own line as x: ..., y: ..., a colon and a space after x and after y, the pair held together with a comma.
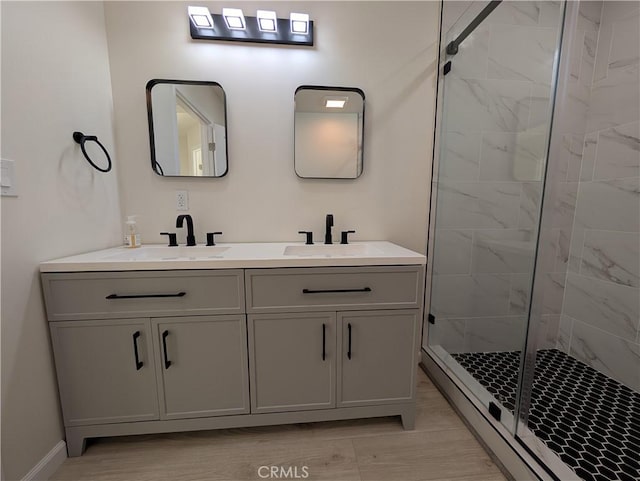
x: 236, y: 256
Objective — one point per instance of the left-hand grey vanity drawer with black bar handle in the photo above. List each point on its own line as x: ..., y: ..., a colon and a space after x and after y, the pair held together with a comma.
x: 99, y: 295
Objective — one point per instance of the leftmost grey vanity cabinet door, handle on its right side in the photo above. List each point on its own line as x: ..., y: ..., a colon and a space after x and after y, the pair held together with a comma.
x: 101, y: 378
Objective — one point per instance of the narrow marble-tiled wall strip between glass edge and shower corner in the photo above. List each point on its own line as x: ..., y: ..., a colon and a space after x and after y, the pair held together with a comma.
x: 571, y: 113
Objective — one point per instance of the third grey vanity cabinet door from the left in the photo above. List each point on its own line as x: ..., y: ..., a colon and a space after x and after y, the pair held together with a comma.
x: 292, y: 361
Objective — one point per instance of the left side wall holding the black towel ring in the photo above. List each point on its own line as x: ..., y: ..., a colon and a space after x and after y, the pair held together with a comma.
x: 55, y: 79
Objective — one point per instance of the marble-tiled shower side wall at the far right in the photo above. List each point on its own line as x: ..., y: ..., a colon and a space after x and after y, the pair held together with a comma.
x: 600, y: 316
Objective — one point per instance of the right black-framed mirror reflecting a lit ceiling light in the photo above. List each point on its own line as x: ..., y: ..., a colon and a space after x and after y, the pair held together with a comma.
x: 328, y: 132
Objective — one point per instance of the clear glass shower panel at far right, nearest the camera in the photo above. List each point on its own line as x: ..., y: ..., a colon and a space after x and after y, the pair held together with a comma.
x: 580, y: 402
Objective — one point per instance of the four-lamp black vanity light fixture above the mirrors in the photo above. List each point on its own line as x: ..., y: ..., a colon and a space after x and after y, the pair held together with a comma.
x: 265, y: 27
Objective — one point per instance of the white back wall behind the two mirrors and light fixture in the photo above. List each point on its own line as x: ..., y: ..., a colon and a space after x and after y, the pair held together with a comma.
x: 388, y: 49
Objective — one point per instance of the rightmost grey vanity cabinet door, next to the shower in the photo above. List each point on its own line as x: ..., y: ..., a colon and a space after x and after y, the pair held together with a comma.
x: 378, y: 352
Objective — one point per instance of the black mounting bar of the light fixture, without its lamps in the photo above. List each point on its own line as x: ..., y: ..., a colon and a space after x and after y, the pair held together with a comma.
x: 252, y: 33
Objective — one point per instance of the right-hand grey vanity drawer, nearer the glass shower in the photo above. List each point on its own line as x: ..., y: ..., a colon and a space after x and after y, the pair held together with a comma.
x: 294, y: 290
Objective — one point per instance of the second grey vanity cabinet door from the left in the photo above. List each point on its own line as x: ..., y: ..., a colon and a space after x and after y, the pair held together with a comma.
x: 202, y: 366
